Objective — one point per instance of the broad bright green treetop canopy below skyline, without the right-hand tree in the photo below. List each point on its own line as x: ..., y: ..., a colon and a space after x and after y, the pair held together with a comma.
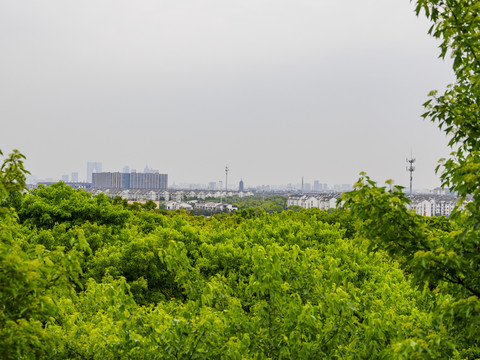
x: 168, y: 285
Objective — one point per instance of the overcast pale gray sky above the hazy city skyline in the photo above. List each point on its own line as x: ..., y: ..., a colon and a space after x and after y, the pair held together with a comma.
x: 275, y: 89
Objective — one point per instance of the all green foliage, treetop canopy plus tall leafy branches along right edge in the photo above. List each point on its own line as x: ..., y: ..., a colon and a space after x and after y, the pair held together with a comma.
x: 82, y: 277
